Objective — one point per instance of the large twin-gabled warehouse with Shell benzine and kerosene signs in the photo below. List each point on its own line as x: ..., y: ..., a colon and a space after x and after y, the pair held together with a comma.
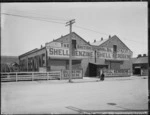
x: 110, y: 54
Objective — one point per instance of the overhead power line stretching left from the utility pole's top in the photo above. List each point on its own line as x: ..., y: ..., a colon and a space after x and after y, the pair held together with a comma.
x: 34, y: 18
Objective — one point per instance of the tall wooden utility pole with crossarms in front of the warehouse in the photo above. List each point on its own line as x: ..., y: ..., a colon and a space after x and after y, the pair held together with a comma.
x: 70, y: 49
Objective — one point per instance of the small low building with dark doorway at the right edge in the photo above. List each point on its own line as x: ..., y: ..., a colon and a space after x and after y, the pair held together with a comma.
x: 140, y: 65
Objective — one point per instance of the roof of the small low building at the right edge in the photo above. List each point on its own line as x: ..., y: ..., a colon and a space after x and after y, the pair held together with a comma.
x: 140, y: 60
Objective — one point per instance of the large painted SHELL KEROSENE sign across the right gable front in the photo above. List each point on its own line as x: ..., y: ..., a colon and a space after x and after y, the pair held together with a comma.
x: 107, y: 53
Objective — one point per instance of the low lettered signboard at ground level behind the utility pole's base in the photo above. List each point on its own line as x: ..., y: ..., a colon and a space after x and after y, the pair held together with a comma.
x: 76, y: 74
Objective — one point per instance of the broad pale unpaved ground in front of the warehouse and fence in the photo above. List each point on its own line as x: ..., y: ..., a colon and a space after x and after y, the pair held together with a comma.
x: 82, y: 96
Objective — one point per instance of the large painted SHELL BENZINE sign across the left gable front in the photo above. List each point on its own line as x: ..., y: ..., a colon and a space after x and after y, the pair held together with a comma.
x: 82, y: 51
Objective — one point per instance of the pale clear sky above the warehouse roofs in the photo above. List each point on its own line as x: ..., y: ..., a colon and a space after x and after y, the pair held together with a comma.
x: 21, y: 33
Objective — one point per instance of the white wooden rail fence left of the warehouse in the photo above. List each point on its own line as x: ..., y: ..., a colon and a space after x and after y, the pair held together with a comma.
x: 21, y: 76
